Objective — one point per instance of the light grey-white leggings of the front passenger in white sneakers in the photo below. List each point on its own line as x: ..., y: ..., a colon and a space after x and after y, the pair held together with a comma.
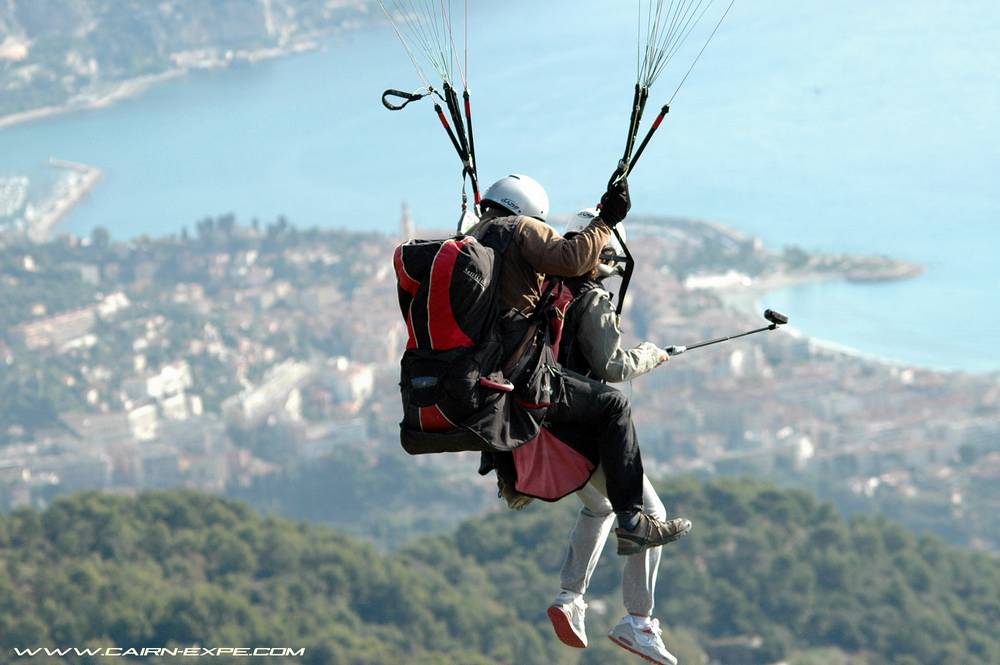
x: 586, y: 541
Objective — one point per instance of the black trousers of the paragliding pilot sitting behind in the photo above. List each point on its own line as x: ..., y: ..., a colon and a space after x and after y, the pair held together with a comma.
x: 596, y: 420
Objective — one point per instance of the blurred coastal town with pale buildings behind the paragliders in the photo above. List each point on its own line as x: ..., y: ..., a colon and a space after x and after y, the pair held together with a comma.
x: 216, y: 357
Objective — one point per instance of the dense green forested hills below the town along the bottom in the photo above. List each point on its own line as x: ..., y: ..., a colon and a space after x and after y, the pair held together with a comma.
x: 183, y: 568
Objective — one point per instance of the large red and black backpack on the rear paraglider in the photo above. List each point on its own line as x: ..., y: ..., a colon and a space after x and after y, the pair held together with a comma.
x: 451, y: 367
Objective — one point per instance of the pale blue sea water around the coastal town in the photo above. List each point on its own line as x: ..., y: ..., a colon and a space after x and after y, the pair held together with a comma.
x: 845, y: 126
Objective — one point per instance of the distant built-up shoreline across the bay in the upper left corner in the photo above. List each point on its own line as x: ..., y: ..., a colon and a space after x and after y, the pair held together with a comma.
x: 40, y: 76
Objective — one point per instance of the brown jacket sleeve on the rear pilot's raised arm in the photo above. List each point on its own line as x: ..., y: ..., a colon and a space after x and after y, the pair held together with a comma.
x: 551, y: 254
